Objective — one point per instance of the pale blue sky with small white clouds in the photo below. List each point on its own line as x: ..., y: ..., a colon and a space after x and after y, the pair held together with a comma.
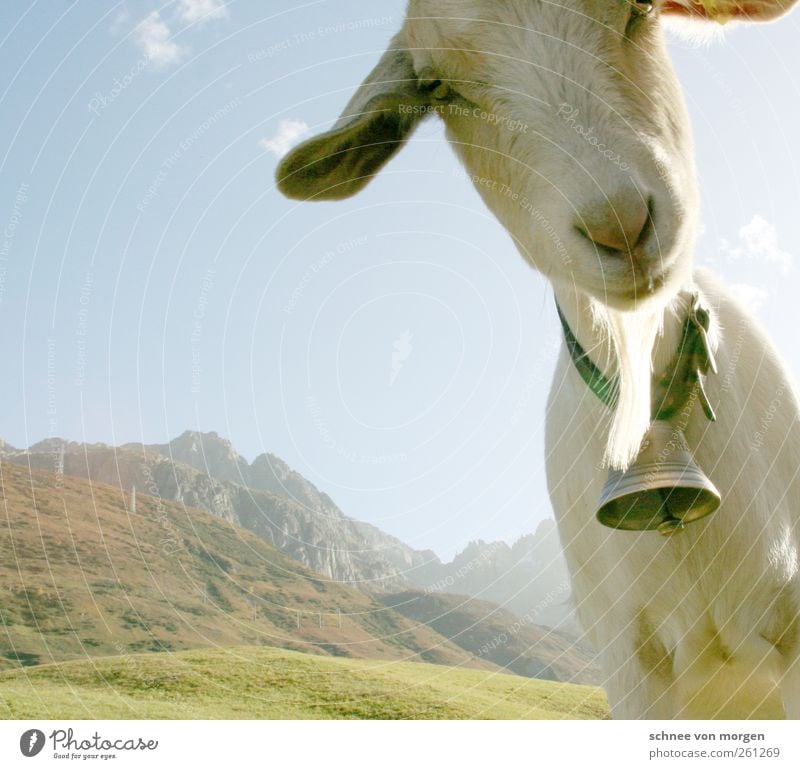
x: 393, y: 348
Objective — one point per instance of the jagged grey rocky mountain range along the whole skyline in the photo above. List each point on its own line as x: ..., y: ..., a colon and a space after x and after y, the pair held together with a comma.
x: 267, y: 497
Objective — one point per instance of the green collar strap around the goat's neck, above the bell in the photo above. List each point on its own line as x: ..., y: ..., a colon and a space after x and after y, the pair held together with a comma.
x: 671, y: 390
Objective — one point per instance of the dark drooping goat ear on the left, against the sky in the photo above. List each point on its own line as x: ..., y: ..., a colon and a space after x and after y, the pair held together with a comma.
x: 374, y: 125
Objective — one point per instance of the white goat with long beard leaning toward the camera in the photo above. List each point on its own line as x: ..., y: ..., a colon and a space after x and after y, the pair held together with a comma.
x: 703, y: 624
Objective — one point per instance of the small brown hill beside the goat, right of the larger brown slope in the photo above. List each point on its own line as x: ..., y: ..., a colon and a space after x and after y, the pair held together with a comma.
x: 491, y: 633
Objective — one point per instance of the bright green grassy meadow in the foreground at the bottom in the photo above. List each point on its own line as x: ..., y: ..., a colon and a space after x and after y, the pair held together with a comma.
x: 271, y: 683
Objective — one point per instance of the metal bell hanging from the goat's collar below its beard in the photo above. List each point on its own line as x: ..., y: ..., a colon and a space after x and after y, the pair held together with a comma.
x: 663, y: 489
